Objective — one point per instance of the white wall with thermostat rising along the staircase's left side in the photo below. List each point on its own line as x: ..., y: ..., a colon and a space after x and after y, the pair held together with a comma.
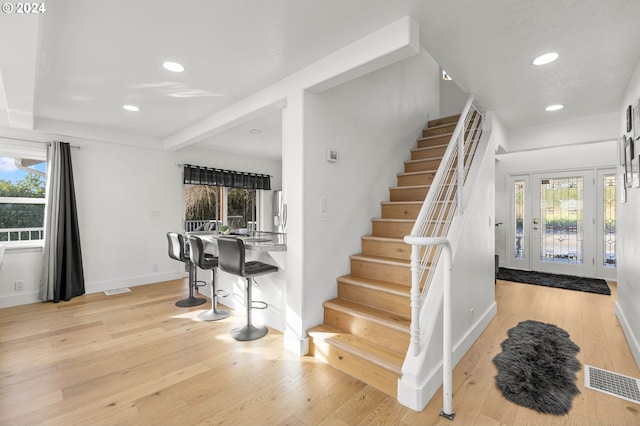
x: 372, y: 122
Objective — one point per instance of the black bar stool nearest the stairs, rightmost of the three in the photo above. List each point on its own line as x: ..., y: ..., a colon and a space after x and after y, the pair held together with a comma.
x: 231, y: 258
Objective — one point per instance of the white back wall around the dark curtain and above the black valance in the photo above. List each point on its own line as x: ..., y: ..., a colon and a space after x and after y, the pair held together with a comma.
x: 128, y: 198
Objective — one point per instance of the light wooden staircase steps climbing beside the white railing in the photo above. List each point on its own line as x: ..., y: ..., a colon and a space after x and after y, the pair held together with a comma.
x: 366, y: 328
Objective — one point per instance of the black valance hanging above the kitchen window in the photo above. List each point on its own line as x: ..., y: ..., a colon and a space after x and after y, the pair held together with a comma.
x: 196, y: 175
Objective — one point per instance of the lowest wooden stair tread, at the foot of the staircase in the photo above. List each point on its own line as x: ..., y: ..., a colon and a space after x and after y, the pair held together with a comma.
x: 376, y: 354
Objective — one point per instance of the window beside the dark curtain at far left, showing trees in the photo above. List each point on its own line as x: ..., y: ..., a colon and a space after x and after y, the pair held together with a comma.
x: 22, y: 198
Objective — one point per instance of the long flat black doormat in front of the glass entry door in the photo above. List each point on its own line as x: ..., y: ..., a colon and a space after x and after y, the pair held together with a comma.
x: 590, y: 285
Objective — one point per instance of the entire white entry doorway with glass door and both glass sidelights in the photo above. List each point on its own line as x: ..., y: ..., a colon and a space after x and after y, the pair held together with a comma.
x: 564, y: 222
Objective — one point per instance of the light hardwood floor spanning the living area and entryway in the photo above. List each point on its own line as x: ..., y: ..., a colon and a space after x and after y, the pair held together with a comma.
x: 136, y: 359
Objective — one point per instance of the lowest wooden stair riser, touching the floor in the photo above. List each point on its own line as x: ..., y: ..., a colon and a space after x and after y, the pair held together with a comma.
x: 355, y: 366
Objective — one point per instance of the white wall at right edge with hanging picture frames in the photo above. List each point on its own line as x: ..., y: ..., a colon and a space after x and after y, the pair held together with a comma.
x: 628, y: 243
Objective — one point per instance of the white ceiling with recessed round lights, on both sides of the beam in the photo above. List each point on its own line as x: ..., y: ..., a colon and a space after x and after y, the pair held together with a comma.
x: 80, y: 61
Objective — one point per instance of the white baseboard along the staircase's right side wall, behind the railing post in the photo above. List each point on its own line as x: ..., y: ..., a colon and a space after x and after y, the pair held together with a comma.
x: 417, y: 398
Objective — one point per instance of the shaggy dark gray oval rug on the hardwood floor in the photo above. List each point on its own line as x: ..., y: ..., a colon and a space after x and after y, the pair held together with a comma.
x: 537, y: 367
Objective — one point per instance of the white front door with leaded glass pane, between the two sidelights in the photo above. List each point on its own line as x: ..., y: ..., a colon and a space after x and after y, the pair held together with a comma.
x: 562, y: 223
